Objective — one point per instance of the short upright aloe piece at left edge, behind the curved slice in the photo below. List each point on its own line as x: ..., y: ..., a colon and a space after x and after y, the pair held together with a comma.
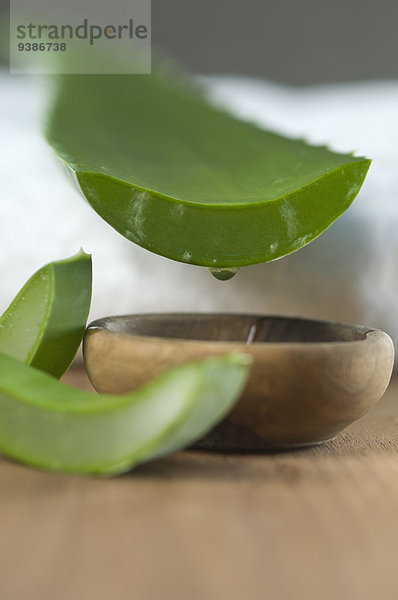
x: 44, y: 324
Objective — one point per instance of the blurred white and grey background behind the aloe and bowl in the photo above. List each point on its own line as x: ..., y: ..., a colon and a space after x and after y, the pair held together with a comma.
x: 325, y: 71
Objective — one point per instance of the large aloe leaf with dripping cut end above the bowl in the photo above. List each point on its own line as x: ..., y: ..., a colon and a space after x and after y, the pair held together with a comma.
x: 188, y: 181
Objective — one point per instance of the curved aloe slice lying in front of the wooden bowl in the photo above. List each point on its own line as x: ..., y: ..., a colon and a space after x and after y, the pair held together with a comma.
x: 46, y: 423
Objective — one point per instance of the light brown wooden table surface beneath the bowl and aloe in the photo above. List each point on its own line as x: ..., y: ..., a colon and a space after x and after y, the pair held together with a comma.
x: 315, y: 524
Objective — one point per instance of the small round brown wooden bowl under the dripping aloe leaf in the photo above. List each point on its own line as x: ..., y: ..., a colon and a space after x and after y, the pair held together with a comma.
x: 309, y: 379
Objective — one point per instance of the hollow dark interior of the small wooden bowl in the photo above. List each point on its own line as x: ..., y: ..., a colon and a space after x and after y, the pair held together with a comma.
x: 232, y: 328
